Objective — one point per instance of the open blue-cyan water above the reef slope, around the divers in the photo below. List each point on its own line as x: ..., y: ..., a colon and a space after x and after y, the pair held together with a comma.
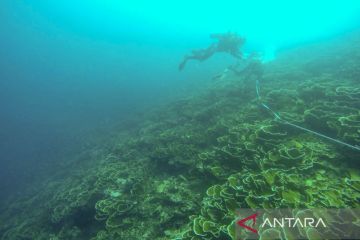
x: 70, y: 71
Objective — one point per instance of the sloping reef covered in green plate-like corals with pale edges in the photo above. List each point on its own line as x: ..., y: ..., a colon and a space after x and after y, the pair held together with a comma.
x: 184, y: 171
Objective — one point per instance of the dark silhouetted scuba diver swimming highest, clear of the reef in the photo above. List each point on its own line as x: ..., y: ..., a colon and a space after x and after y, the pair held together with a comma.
x: 228, y: 42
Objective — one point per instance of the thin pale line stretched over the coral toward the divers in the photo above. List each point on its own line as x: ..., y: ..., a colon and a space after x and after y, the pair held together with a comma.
x: 278, y: 118
